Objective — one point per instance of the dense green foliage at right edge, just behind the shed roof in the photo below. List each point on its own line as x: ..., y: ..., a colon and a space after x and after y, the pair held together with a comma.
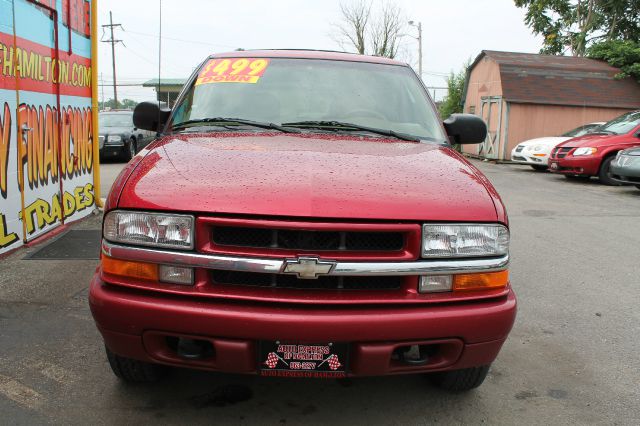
x: 620, y: 54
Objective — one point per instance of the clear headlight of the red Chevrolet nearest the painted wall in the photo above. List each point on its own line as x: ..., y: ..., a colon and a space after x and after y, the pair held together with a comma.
x: 149, y: 229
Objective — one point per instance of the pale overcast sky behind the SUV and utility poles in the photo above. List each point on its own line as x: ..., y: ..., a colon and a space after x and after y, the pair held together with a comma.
x: 453, y: 32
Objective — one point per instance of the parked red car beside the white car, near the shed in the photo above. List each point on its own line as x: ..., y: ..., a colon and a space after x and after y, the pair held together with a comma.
x: 592, y: 154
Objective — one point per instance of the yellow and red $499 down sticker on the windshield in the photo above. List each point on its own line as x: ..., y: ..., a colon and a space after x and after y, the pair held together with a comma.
x: 240, y: 70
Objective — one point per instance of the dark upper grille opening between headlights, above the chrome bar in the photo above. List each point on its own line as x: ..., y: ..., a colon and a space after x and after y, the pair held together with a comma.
x: 295, y: 239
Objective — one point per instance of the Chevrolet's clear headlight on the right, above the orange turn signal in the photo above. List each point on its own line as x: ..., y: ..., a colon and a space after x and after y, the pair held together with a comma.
x: 441, y: 240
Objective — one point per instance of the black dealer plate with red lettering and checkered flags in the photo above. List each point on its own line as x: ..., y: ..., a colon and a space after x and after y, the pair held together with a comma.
x: 325, y: 360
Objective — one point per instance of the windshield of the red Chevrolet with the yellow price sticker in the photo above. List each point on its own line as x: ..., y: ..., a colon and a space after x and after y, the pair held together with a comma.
x: 277, y: 90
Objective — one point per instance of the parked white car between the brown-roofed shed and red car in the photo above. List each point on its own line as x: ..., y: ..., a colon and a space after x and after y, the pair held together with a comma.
x: 535, y: 152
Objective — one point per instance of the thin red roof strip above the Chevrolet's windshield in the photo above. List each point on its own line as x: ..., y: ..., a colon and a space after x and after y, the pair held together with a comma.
x: 306, y: 54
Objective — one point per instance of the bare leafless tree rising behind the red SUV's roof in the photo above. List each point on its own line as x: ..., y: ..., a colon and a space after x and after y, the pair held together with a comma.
x: 370, y: 33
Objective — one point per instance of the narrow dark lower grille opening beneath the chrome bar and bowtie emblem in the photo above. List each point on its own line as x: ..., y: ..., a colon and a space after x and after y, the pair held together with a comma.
x: 256, y: 279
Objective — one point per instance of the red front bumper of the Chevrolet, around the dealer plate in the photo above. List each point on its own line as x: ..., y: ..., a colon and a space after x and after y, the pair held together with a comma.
x: 136, y: 324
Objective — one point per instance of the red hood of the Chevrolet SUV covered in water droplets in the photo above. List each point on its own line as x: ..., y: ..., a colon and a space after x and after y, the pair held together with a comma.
x: 308, y: 175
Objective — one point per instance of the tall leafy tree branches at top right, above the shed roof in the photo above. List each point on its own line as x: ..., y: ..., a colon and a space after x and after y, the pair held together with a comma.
x: 574, y: 25
